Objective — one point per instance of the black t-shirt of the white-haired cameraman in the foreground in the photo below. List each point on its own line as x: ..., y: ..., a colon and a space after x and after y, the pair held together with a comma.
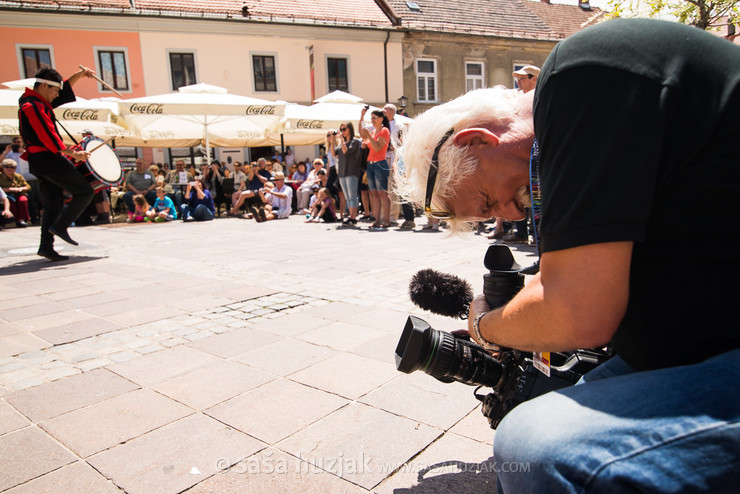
x: 638, y: 123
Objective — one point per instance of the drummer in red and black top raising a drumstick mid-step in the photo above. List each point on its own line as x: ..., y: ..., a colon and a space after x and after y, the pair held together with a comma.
x: 48, y: 156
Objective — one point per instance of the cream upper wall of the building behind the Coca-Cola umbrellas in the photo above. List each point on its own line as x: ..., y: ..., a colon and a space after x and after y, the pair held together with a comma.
x: 223, y: 58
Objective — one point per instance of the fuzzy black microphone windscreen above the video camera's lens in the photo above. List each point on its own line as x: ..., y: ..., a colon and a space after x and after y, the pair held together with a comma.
x: 440, y: 293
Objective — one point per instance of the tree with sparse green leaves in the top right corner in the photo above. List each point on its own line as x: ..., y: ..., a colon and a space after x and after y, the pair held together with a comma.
x: 700, y: 13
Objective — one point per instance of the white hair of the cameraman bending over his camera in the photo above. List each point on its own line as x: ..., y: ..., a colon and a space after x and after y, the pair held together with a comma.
x: 497, y: 105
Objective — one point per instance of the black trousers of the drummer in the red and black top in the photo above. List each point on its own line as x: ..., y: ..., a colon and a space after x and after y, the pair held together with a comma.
x: 57, y: 174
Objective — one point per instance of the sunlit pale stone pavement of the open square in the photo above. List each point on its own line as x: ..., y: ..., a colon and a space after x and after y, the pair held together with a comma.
x: 230, y: 356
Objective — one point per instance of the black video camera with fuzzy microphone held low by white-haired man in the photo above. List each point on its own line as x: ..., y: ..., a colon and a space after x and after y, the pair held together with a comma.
x: 515, y: 376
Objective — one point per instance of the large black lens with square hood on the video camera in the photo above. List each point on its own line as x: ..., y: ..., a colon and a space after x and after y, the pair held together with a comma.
x: 443, y: 356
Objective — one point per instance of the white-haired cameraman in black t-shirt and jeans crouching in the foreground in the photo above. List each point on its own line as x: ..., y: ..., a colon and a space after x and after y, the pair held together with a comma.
x: 637, y: 123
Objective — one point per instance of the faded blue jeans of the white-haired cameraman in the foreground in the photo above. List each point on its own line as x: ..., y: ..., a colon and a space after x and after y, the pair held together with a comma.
x: 669, y: 430
